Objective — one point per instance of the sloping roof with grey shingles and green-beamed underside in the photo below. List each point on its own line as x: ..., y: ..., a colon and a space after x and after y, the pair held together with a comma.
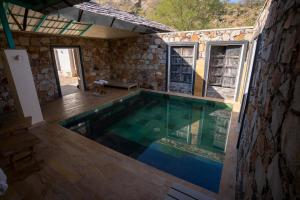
x: 69, y: 17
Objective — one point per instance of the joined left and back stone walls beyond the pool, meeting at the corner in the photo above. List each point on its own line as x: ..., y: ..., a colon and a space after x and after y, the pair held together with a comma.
x: 142, y: 59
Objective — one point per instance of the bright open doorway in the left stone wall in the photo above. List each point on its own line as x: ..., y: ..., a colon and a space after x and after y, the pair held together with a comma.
x: 69, y: 70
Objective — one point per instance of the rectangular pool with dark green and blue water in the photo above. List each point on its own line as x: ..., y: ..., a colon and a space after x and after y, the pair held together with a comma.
x: 182, y: 136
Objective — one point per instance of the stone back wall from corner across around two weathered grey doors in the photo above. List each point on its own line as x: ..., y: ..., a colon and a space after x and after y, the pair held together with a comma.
x: 144, y: 59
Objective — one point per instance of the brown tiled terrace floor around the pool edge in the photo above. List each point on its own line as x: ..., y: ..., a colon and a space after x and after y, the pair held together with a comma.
x: 75, y: 167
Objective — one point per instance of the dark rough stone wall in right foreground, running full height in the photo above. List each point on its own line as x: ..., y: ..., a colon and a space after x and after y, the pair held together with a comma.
x: 268, y: 156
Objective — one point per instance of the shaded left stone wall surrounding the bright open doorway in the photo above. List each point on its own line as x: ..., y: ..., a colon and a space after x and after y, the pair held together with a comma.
x: 95, y: 57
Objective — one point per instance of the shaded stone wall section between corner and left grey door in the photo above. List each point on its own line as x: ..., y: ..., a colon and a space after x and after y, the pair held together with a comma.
x: 142, y: 59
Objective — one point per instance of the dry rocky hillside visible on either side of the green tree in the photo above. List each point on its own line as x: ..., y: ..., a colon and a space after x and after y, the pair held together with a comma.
x: 234, y: 15
